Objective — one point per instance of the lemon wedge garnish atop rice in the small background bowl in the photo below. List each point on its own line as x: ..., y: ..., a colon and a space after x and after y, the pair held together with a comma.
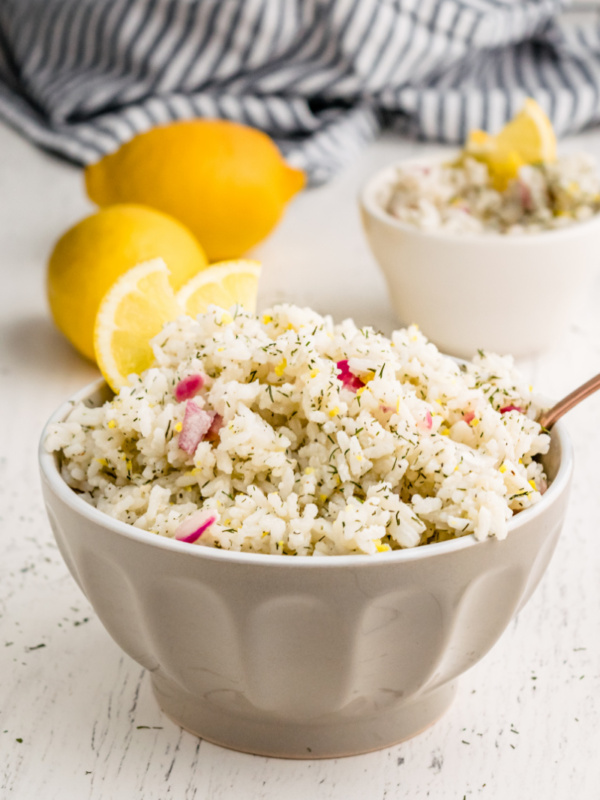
x: 527, y: 139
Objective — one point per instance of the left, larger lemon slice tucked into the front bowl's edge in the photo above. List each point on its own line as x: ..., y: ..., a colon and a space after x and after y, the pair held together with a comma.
x: 133, y: 311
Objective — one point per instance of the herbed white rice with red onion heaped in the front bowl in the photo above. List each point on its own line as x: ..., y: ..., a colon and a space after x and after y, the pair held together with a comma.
x: 290, y: 434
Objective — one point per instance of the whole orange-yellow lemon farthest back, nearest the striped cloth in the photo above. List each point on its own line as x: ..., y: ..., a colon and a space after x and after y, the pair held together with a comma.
x: 227, y: 182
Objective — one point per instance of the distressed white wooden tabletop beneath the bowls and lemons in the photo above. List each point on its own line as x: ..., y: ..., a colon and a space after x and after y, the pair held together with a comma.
x: 77, y: 718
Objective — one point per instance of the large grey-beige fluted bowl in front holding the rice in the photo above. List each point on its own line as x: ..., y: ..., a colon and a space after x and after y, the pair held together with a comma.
x: 302, y: 657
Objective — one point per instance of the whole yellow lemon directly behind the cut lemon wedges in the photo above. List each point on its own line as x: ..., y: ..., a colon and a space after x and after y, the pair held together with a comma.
x: 90, y: 256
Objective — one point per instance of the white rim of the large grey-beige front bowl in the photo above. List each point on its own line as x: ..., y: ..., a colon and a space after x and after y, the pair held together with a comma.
x: 50, y: 472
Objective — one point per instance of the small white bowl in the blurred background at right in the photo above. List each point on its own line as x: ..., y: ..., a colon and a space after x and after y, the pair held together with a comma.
x: 506, y: 294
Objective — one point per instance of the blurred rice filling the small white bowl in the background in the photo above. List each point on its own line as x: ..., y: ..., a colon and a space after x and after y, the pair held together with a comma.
x: 460, y: 197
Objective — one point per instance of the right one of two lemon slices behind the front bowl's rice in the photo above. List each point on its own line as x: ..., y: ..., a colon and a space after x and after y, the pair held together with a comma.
x: 224, y: 284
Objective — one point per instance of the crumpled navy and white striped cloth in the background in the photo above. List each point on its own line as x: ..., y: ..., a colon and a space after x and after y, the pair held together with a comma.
x: 79, y: 77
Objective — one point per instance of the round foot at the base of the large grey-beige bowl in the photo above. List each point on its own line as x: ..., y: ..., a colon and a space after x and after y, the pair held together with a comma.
x: 277, y: 739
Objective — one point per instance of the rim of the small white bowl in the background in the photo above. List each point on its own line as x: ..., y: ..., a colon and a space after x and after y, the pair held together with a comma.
x: 368, y: 202
